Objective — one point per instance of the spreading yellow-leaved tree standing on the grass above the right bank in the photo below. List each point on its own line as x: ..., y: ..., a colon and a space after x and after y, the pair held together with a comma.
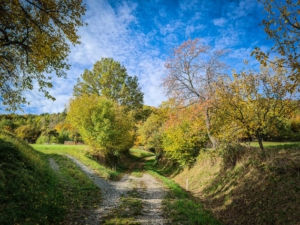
x: 252, y: 103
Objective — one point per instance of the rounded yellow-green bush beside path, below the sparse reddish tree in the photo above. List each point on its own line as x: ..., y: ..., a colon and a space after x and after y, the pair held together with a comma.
x: 184, y: 134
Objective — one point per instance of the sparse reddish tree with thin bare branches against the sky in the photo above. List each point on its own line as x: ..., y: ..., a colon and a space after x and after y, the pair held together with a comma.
x: 192, y: 72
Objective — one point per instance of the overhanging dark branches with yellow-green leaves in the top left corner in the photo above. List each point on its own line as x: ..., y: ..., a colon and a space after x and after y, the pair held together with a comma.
x: 34, y: 42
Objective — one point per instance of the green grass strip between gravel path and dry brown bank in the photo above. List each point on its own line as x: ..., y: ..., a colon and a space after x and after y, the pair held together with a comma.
x: 179, y: 206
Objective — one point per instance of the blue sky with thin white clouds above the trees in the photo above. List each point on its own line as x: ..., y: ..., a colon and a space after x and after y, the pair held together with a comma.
x: 141, y: 35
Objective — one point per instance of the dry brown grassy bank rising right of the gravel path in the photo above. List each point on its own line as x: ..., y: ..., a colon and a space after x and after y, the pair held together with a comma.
x: 257, y: 190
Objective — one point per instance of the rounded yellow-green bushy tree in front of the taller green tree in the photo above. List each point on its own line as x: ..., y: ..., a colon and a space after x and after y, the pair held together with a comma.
x: 103, y: 124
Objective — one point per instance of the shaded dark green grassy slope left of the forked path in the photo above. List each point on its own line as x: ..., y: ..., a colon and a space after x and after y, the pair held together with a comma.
x: 31, y: 193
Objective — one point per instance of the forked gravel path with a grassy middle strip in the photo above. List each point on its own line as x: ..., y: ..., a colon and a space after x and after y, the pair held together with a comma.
x: 151, y: 190
